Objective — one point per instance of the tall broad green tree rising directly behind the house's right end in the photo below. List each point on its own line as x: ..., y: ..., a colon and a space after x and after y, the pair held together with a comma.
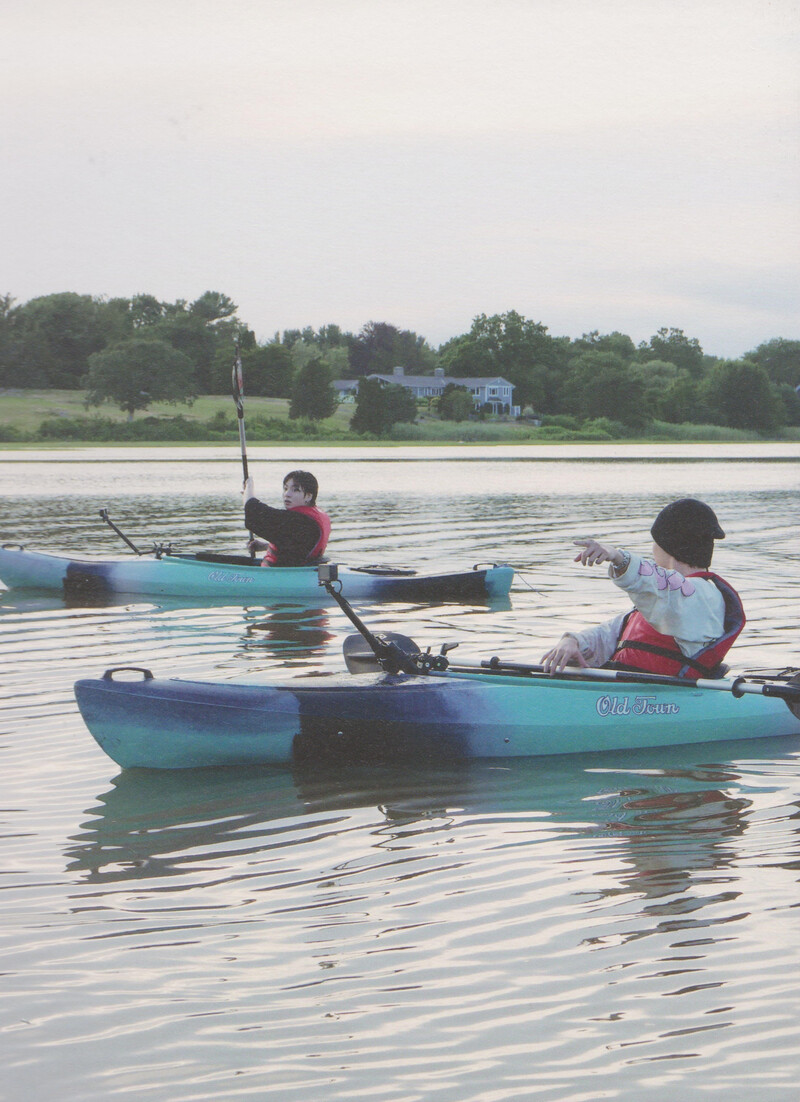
x: 512, y: 348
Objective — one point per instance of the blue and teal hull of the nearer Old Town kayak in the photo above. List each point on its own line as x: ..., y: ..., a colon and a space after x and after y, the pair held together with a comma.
x: 175, y: 723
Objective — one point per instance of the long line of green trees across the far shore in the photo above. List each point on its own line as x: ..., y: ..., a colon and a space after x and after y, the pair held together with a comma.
x: 137, y: 351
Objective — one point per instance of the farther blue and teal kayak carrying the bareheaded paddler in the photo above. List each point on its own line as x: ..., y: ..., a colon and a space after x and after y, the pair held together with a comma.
x: 237, y: 578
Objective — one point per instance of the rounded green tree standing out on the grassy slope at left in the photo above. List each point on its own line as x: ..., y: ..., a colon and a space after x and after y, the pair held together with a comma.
x: 138, y: 372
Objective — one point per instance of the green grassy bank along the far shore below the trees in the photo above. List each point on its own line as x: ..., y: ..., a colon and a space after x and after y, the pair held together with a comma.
x: 60, y: 418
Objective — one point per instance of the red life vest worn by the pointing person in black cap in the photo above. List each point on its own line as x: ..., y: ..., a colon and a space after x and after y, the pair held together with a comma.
x: 642, y: 647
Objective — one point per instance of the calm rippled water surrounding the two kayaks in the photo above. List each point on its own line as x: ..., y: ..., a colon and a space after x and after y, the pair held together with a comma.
x: 613, y: 926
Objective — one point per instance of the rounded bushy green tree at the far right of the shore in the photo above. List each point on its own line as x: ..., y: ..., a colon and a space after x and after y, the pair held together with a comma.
x: 739, y: 394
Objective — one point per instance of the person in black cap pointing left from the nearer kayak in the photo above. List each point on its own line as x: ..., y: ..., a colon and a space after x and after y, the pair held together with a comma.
x: 685, y: 619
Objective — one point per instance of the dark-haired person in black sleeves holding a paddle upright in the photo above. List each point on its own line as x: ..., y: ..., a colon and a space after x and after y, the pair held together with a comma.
x: 295, y: 536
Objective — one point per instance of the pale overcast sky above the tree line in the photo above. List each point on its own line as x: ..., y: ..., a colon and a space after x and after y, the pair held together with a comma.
x: 594, y: 165
